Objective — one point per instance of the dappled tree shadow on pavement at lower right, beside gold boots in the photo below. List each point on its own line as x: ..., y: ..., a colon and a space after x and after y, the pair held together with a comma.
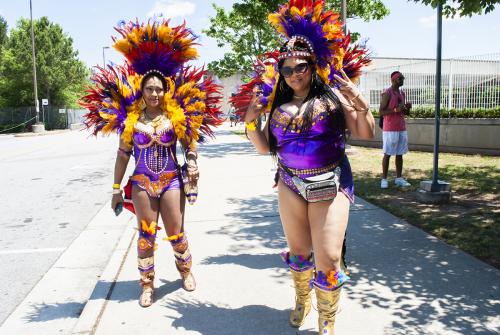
x: 425, y: 287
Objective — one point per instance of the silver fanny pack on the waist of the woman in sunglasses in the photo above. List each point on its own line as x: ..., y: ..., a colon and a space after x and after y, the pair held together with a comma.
x: 322, y: 187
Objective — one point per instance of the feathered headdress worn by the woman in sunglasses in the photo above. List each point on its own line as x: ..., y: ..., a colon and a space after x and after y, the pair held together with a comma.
x: 305, y: 23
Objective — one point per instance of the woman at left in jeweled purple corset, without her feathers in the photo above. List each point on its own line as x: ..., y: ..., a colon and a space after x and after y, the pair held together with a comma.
x: 156, y: 185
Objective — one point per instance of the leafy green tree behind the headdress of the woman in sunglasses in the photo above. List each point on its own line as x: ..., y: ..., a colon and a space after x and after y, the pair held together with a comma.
x: 246, y: 30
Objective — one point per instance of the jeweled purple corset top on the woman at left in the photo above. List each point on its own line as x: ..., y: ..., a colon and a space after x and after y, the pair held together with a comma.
x: 154, y: 146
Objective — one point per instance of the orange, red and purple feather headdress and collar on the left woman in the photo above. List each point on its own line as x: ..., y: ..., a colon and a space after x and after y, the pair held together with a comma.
x: 191, y: 100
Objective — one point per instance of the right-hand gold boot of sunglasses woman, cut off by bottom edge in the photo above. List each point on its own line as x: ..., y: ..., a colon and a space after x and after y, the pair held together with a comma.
x: 328, y: 302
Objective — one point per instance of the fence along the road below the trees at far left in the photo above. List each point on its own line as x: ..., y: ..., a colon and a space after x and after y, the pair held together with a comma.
x: 20, y: 119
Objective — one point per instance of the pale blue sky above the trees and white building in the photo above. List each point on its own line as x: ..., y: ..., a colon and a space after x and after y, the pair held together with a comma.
x: 409, y: 31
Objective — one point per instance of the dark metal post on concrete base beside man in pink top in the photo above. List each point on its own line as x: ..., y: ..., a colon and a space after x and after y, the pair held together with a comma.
x: 435, y: 185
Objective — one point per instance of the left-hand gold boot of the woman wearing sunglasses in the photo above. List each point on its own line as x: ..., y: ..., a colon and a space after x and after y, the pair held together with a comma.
x: 303, y: 289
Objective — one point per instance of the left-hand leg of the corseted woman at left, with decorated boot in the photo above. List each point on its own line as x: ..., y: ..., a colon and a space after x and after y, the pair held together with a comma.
x: 147, y: 216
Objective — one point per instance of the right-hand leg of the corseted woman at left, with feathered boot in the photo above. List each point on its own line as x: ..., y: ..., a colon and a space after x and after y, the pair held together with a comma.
x: 172, y: 205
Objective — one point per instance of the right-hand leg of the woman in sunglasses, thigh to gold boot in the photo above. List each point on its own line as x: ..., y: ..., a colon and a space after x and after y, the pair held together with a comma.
x: 328, y: 225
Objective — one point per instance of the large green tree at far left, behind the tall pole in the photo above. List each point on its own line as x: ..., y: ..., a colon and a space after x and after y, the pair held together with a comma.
x: 59, y: 72
